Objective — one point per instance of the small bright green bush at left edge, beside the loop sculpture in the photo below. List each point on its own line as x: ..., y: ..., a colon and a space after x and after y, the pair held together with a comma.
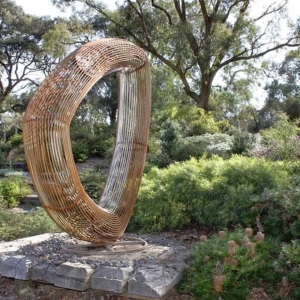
x: 12, y: 189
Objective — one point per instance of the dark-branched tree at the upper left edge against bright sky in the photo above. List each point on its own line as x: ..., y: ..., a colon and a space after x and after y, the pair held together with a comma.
x: 21, y: 48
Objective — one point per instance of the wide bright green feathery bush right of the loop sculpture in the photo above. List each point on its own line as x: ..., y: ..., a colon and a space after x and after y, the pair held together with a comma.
x: 220, y: 193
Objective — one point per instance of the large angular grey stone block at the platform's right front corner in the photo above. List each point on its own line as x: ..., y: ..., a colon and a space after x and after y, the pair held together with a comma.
x: 154, y: 280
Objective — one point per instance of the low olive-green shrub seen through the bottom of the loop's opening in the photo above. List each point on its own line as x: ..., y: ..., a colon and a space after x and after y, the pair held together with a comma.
x: 93, y: 182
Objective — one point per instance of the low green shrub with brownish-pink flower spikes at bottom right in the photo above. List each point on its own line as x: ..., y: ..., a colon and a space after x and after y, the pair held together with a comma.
x: 231, y: 266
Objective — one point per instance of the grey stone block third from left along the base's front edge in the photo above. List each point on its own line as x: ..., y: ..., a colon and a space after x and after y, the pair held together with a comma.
x: 75, y: 276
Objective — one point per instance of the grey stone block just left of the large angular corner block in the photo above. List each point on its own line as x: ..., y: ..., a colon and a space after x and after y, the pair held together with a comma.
x: 111, y: 279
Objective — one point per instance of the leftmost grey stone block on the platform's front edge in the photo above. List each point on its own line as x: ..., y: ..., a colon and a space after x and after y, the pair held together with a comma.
x: 18, y: 267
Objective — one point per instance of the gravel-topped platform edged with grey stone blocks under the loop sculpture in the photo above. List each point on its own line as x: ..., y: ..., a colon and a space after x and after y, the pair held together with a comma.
x: 148, y: 274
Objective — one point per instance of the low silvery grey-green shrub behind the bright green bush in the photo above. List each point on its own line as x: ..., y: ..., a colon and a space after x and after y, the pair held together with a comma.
x: 206, y: 144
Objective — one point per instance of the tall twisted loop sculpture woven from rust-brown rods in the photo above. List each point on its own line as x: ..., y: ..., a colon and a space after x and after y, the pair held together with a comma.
x: 48, y: 146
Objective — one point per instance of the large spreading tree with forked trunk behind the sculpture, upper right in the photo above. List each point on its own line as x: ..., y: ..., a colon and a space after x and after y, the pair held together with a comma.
x: 196, y: 39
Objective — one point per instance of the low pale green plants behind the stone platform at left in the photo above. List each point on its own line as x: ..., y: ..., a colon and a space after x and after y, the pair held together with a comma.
x: 19, y: 225
